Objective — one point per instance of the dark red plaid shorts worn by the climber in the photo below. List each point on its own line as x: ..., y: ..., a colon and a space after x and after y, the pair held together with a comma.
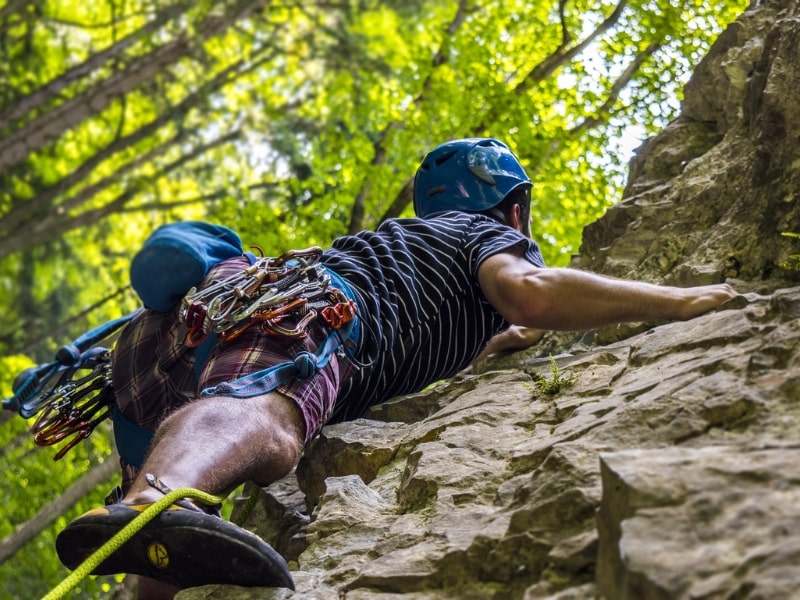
x: 154, y: 372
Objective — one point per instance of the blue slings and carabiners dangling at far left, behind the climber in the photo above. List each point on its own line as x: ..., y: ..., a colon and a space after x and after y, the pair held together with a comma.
x: 72, y: 394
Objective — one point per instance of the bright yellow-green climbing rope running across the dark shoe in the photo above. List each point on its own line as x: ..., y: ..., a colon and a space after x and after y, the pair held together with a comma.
x: 123, y: 535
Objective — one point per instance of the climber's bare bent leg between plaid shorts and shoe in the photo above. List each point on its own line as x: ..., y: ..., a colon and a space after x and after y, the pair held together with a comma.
x: 217, y: 443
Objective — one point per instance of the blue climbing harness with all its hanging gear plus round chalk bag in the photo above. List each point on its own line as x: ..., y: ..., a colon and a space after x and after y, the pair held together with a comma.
x: 294, y: 287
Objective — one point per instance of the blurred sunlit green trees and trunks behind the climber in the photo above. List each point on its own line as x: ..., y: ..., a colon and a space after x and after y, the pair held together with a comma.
x: 293, y: 122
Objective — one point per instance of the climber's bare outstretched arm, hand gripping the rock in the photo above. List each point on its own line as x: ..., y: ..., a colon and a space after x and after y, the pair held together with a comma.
x: 573, y: 300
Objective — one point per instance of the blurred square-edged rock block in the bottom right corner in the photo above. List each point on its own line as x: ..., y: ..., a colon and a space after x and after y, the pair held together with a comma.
x: 712, y: 522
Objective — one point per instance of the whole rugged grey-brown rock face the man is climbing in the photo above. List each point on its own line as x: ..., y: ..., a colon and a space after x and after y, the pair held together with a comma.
x: 667, y: 466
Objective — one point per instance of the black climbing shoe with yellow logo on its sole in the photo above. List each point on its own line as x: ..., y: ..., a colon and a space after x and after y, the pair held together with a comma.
x: 183, y: 547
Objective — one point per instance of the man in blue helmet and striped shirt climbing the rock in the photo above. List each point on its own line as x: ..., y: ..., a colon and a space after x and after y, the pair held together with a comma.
x: 428, y: 293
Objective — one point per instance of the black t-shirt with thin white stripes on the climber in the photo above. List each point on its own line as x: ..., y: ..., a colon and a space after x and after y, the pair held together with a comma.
x: 423, y: 314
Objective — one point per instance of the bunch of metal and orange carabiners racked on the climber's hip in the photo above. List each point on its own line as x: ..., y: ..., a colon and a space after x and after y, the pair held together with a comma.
x: 293, y: 288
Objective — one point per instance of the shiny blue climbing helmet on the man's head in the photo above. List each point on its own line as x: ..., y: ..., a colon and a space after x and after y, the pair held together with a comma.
x: 470, y: 175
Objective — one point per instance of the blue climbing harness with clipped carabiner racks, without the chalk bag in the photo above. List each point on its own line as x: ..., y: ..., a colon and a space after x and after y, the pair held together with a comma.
x: 284, y: 296
